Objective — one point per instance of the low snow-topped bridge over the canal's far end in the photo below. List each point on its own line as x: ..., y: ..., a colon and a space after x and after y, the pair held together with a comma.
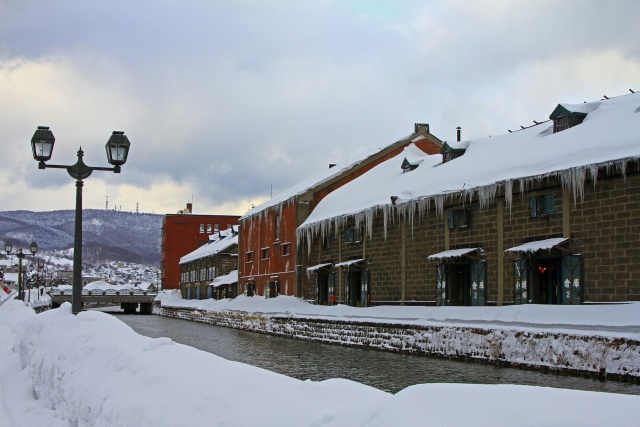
x: 128, y: 301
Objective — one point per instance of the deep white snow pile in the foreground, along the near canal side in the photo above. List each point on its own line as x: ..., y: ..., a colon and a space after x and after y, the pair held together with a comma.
x: 93, y: 370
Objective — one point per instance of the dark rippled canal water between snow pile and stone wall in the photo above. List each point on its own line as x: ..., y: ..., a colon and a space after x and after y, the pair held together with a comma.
x: 391, y: 372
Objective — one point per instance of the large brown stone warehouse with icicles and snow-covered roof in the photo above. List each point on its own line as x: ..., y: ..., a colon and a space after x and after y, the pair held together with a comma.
x: 548, y: 214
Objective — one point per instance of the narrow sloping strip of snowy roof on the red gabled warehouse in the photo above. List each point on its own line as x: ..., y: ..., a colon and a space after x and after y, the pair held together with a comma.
x: 323, y: 177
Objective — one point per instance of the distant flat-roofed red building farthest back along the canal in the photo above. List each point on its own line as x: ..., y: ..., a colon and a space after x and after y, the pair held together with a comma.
x: 182, y: 233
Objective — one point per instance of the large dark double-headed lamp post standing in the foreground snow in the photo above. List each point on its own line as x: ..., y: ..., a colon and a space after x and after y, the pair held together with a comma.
x: 117, y: 151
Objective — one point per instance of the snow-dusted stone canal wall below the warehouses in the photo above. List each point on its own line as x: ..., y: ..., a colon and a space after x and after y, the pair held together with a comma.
x: 561, y: 352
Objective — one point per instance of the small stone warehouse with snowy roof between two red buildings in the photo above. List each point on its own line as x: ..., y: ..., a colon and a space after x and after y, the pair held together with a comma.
x: 215, y: 260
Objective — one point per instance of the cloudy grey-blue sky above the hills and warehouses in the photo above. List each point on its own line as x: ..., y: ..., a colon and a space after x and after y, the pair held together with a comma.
x: 227, y: 101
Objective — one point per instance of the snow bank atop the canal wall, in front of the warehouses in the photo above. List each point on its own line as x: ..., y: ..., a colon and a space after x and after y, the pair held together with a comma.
x: 615, y: 320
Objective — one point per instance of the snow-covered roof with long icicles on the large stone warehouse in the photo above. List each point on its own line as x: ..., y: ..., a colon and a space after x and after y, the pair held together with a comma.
x: 609, y: 136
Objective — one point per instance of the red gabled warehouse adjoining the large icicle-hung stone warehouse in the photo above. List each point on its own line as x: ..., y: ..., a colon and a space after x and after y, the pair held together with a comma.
x: 269, y: 257
